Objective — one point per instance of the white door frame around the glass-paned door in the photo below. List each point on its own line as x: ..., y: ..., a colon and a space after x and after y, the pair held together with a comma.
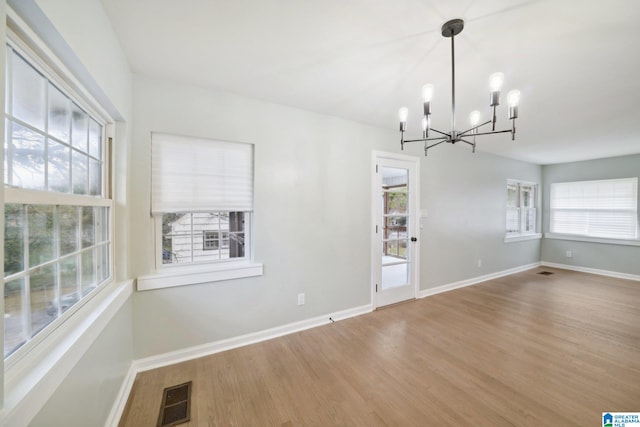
x: 376, y: 223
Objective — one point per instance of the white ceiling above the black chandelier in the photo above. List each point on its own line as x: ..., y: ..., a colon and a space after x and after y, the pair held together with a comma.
x: 576, y: 62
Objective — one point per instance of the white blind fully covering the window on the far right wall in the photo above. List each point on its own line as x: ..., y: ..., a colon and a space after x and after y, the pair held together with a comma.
x: 607, y: 208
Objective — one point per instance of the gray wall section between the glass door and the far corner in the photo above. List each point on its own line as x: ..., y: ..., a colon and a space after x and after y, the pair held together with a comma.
x: 464, y: 198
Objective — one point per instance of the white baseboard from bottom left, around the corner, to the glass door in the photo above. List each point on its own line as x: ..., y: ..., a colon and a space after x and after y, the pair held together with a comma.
x: 158, y: 361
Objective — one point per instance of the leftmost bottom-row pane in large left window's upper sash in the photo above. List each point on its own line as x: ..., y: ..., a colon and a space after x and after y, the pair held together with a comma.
x: 27, y: 158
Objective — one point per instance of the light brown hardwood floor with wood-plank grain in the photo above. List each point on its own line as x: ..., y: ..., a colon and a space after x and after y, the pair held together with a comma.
x: 522, y: 350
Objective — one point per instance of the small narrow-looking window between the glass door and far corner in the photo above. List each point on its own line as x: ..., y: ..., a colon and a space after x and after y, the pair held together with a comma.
x: 521, y: 208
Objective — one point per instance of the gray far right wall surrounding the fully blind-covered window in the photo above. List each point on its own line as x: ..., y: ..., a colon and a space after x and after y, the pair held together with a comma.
x: 609, y: 257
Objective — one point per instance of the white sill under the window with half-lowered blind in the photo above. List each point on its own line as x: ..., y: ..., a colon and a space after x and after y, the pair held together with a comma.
x: 193, y: 275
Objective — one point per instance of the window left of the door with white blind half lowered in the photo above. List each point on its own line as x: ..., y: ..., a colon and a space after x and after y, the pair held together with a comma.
x: 202, y: 199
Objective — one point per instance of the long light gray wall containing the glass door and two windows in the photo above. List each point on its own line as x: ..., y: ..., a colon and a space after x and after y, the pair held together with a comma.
x: 312, y: 215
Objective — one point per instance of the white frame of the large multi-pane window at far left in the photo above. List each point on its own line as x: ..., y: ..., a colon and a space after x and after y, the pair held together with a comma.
x: 40, y: 57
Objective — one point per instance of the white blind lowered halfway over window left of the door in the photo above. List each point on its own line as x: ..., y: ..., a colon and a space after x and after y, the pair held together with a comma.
x: 200, y: 175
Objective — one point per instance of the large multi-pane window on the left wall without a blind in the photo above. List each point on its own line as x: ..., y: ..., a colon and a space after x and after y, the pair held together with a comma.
x: 57, y: 220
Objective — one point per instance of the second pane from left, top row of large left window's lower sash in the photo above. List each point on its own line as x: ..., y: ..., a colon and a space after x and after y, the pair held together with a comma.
x: 40, y: 219
